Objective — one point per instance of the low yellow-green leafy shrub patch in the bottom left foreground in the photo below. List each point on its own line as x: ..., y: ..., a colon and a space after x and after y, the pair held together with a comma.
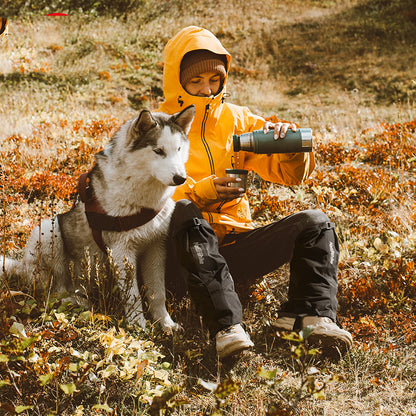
x: 63, y: 360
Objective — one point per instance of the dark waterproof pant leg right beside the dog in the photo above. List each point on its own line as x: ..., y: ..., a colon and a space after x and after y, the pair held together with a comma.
x: 208, y: 279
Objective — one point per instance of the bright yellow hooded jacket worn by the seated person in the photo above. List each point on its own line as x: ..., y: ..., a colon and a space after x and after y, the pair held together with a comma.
x: 211, y: 148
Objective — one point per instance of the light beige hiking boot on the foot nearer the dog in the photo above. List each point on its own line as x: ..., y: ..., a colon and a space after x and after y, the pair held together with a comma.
x: 232, y: 340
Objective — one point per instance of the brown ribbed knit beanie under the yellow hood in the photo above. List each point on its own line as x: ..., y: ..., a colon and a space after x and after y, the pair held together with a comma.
x: 200, y: 61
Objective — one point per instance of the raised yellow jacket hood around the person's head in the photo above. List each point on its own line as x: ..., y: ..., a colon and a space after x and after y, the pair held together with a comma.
x: 189, y: 39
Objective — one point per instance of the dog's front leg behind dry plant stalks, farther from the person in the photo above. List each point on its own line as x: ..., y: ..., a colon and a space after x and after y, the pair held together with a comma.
x: 128, y: 284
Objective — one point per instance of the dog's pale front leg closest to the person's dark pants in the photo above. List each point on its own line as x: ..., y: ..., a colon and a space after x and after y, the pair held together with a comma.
x: 153, y: 273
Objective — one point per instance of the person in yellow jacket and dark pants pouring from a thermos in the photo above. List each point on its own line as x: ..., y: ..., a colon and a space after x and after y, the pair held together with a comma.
x: 213, y: 244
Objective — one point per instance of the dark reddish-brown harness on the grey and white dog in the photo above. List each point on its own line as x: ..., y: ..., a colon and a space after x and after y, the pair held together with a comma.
x: 98, y: 219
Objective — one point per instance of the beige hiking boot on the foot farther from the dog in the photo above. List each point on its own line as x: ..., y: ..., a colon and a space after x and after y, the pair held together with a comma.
x: 327, y: 334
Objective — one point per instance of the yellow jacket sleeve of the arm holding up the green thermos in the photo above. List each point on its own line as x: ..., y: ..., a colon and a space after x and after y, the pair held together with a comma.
x: 284, y: 168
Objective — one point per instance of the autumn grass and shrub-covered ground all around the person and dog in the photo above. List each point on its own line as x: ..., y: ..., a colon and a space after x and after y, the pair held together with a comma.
x: 344, y: 68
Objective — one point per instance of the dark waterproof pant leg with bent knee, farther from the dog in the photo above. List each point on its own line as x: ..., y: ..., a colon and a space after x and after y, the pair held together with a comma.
x: 307, y: 240
